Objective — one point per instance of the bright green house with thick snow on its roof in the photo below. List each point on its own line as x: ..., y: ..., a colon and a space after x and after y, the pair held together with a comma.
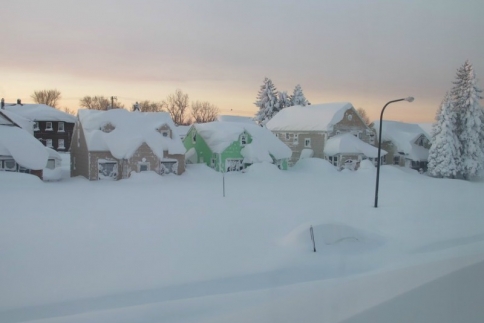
x: 232, y: 146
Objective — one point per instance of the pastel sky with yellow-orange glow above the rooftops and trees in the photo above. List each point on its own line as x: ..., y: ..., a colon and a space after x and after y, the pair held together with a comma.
x: 366, y: 52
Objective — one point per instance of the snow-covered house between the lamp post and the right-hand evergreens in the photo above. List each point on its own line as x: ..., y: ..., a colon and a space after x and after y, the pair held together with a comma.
x: 407, y: 144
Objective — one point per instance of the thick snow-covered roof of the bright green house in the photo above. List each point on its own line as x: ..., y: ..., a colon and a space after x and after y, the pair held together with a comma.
x: 219, y: 135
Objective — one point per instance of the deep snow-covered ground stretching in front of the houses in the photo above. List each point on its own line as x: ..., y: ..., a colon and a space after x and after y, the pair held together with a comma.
x: 173, y: 249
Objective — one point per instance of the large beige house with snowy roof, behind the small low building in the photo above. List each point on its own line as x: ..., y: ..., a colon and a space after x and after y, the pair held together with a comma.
x: 307, y: 129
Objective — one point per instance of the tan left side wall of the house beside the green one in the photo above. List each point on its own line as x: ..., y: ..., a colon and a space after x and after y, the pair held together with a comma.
x: 79, y: 153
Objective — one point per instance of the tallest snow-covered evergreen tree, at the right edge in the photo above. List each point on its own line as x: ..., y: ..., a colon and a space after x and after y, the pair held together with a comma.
x: 465, y: 96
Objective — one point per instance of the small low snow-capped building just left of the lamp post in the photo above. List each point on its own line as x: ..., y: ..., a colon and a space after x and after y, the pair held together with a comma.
x: 347, y: 151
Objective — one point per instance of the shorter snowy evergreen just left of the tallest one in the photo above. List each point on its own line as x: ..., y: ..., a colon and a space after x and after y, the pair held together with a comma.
x: 444, y: 159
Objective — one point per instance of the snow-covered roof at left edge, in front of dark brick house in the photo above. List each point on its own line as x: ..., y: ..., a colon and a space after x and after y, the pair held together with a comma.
x: 27, y: 151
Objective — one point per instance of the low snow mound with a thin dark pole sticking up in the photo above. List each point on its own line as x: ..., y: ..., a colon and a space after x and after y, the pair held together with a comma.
x: 334, y: 238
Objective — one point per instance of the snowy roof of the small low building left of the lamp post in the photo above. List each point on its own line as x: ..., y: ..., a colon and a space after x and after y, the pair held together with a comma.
x: 349, y: 144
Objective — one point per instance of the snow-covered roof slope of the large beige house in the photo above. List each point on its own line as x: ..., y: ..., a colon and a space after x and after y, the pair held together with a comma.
x: 318, y: 117
